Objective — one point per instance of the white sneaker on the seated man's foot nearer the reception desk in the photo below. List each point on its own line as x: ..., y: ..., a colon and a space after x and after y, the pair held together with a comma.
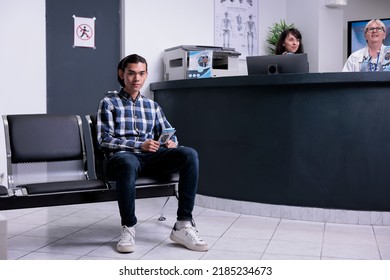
x: 189, y: 237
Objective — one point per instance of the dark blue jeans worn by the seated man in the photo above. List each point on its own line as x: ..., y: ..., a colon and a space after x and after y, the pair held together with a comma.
x: 124, y: 168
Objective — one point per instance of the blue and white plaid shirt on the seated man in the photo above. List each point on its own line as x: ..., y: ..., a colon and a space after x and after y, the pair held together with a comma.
x: 124, y: 124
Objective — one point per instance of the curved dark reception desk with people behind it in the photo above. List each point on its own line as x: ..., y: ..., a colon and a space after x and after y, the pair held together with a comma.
x: 310, y: 140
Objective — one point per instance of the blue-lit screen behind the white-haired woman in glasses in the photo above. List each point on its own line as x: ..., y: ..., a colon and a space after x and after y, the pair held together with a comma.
x: 356, y: 38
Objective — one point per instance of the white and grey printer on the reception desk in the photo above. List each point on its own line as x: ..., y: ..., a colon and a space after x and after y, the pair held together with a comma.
x: 194, y: 62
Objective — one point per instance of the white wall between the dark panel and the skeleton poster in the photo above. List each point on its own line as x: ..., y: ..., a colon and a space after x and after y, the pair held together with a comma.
x: 165, y: 24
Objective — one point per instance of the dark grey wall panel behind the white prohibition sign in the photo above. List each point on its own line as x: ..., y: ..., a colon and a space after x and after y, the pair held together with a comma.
x: 77, y: 78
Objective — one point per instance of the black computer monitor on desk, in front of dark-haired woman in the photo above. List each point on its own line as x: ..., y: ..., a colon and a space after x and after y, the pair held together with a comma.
x: 277, y: 64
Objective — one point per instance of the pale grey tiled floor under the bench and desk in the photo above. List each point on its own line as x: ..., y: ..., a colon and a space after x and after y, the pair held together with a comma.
x: 90, y: 231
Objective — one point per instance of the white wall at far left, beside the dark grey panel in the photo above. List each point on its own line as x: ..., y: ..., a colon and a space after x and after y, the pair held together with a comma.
x: 22, y: 61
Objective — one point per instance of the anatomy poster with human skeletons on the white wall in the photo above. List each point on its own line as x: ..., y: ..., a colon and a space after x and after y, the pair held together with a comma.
x: 235, y: 25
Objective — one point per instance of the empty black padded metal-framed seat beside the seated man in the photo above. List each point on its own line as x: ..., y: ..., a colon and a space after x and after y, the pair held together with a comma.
x: 46, y: 155
